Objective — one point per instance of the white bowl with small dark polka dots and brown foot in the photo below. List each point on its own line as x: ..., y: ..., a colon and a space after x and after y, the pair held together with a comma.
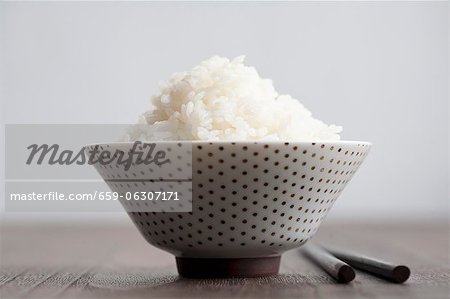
x: 251, y: 201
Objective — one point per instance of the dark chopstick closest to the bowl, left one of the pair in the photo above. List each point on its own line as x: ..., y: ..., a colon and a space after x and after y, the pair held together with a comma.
x: 336, y: 268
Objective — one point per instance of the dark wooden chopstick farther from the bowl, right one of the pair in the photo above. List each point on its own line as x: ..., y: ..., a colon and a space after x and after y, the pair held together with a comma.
x: 393, y: 272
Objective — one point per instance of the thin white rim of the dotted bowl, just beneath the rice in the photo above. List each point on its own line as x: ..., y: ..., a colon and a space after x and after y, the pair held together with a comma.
x: 238, y: 142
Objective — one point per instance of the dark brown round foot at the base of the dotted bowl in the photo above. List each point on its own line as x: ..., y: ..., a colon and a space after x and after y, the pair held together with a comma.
x: 227, y: 267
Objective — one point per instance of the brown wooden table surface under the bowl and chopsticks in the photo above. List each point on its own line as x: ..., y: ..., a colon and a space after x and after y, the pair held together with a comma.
x: 94, y: 261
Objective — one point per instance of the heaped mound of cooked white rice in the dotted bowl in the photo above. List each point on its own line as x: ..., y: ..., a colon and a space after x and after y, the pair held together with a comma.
x: 226, y: 100
